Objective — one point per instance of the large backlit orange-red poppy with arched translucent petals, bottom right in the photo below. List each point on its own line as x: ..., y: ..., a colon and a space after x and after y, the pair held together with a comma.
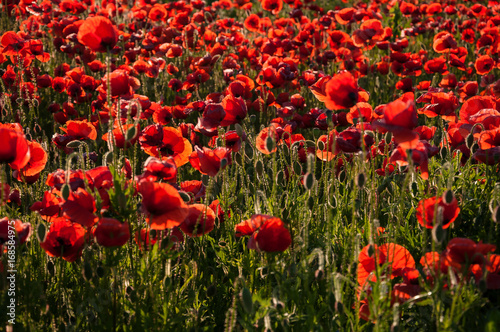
x: 397, y: 258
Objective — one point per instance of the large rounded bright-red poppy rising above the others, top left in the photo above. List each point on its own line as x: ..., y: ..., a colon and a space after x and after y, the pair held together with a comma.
x: 98, y: 33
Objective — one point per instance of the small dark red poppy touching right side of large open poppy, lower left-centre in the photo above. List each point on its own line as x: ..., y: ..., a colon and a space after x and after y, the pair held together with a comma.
x: 199, y: 221
